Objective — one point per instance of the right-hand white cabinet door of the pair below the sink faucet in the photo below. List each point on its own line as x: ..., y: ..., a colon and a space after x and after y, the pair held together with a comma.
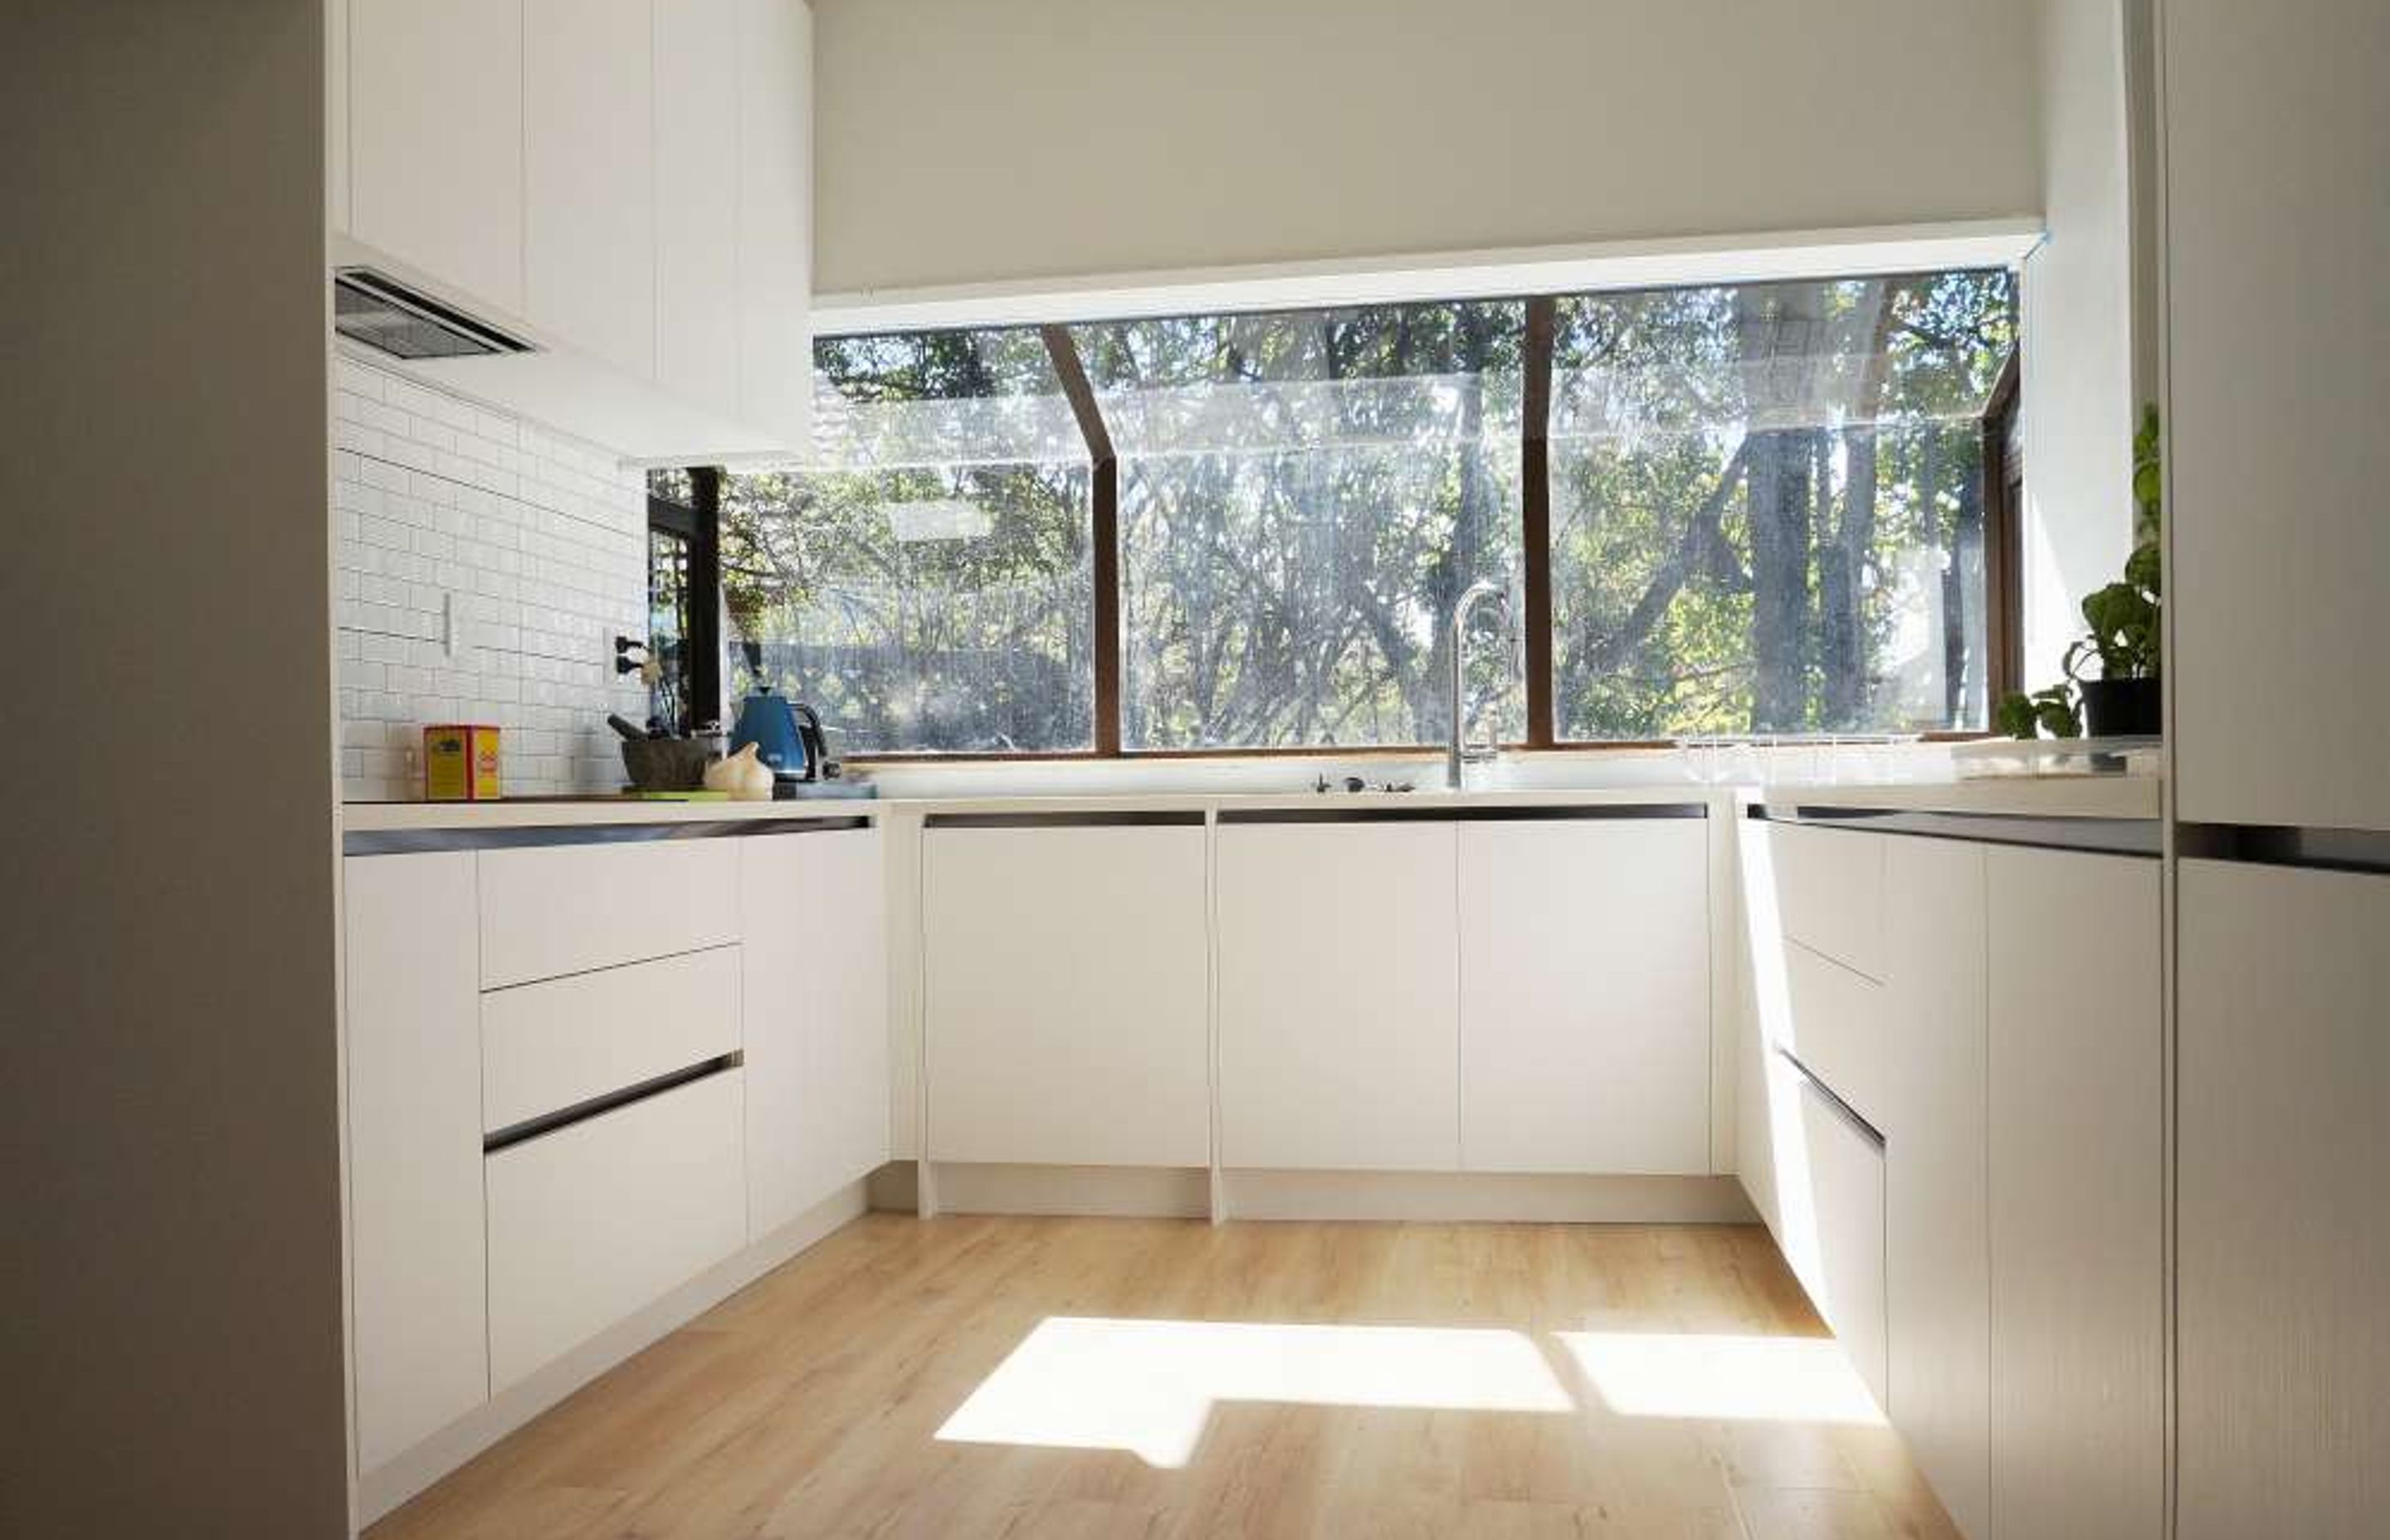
x: 1586, y: 996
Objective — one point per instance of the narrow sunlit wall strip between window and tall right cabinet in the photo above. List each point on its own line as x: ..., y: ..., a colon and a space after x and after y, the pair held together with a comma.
x: 2085, y: 331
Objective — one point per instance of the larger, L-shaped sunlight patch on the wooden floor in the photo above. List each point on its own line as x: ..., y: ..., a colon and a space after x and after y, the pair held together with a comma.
x: 1148, y: 1386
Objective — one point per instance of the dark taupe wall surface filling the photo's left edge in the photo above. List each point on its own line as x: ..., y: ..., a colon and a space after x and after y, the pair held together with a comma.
x: 171, y: 1285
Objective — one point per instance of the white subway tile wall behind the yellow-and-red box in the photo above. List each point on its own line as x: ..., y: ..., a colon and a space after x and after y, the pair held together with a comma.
x: 539, y: 549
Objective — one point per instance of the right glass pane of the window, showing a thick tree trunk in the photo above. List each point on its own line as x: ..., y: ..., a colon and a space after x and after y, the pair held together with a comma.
x: 1770, y: 508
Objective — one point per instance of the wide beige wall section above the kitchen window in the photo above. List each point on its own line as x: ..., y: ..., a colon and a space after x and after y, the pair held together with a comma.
x: 972, y: 142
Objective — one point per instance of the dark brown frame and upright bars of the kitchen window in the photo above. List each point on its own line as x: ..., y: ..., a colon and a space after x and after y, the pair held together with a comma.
x: 2004, y: 475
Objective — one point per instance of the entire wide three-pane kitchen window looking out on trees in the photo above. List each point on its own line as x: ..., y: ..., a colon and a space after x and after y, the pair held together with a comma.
x: 1720, y: 511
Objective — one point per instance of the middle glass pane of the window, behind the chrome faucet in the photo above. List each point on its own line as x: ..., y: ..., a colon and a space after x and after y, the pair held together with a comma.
x: 1304, y: 496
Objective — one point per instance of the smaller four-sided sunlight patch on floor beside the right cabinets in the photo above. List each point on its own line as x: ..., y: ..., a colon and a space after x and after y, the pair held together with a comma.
x: 1727, y: 1379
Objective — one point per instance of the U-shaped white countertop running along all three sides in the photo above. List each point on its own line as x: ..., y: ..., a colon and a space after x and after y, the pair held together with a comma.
x: 2033, y: 797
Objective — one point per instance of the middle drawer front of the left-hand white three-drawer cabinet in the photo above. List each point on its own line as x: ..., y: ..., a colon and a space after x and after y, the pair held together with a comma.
x: 568, y: 1041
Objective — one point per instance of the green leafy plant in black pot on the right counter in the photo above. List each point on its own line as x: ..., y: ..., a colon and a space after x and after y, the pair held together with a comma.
x: 2124, y: 635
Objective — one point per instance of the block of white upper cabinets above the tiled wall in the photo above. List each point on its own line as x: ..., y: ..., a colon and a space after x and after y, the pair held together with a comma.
x: 627, y: 185
